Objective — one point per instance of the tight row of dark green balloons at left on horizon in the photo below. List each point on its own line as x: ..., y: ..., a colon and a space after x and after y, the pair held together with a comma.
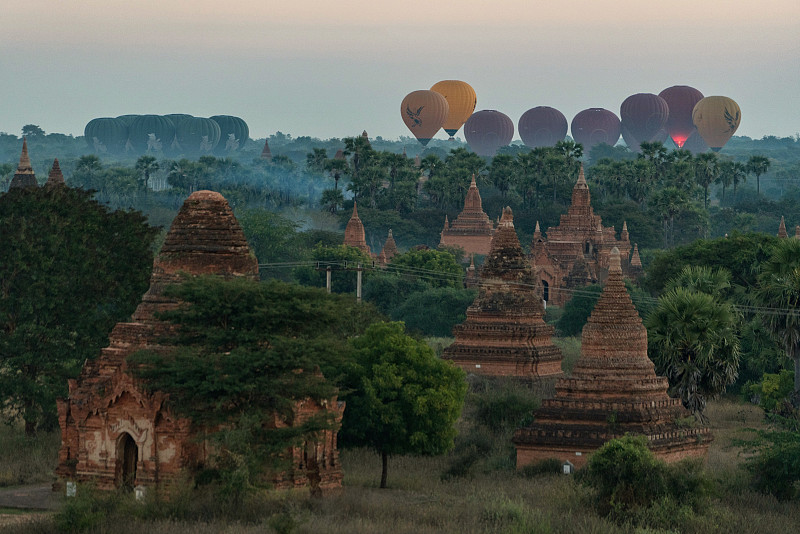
x: 175, y: 134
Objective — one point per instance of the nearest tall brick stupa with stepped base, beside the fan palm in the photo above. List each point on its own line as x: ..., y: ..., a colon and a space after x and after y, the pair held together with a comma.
x: 613, y: 390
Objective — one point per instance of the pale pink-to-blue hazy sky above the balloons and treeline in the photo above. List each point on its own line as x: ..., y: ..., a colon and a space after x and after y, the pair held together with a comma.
x: 332, y: 69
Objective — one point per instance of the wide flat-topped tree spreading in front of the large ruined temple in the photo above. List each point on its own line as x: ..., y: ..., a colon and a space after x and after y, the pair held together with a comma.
x: 245, y: 353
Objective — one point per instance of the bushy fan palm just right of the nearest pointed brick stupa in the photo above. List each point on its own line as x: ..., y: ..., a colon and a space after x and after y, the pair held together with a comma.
x: 694, y: 341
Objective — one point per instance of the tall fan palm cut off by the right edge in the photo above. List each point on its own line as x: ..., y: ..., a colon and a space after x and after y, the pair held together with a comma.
x: 778, y: 292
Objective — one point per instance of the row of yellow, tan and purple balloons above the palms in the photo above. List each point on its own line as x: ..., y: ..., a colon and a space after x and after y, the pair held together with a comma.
x: 680, y: 112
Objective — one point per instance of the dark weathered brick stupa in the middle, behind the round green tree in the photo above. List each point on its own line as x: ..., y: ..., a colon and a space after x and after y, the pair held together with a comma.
x: 505, y: 333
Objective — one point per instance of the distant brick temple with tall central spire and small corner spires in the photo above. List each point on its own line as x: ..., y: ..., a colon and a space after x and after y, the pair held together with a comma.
x: 575, y: 253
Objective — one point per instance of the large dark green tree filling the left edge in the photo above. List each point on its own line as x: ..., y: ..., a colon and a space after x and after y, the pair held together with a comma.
x: 71, y: 270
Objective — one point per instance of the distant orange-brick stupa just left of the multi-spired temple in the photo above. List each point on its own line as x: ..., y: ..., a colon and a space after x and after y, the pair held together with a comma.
x: 472, y: 230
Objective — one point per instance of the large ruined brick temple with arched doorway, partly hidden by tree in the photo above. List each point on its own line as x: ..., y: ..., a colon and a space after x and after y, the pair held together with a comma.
x: 116, y: 434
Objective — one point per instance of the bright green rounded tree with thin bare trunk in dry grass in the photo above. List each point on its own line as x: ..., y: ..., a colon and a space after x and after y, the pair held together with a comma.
x: 403, y: 399
